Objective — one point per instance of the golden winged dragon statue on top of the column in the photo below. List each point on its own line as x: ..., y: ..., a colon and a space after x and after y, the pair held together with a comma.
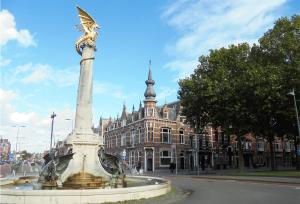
x: 88, y: 26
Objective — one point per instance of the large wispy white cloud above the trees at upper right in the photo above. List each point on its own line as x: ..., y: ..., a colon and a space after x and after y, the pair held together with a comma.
x: 209, y: 24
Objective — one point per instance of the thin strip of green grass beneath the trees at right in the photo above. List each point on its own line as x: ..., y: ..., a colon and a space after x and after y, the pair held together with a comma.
x: 286, y: 173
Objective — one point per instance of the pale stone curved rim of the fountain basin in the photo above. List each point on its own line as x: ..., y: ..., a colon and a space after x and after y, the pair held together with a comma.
x: 159, y: 187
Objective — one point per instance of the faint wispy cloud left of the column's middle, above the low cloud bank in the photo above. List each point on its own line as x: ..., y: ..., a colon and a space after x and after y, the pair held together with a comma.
x: 45, y: 74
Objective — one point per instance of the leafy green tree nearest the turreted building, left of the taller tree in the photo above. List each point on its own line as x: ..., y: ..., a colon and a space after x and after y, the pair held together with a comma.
x: 219, y: 92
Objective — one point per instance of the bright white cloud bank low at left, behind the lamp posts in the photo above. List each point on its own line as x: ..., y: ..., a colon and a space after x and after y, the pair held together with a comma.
x: 35, y: 136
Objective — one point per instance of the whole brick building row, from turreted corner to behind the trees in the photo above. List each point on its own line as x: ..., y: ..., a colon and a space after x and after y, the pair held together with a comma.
x: 156, y: 136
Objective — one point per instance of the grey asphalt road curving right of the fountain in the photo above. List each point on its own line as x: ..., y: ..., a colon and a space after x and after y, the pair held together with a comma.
x: 235, y: 192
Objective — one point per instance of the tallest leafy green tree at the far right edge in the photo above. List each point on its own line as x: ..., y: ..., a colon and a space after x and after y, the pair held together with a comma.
x: 278, y: 60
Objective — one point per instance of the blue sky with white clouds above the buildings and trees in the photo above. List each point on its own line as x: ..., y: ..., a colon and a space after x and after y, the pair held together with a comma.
x: 39, y: 65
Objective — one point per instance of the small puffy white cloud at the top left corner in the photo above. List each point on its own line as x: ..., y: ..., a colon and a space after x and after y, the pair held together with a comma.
x: 9, y: 31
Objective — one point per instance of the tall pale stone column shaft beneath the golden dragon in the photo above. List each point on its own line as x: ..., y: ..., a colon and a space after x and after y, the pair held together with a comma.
x: 83, y: 119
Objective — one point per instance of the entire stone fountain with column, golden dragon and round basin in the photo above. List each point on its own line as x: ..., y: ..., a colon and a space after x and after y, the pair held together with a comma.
x: 85, y: 174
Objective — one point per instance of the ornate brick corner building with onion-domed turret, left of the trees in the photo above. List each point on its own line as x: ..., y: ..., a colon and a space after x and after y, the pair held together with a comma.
x: 152, y: 135
